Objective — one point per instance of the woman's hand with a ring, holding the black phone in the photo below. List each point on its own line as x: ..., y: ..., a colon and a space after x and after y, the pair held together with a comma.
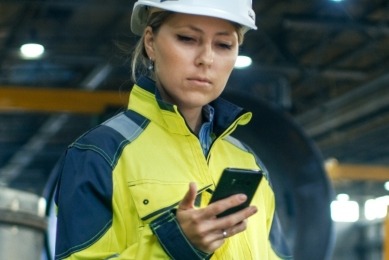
x: 203, y: 229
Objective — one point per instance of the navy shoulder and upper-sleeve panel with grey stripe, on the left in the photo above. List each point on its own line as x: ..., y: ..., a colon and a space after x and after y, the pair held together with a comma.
x: 85, y: 188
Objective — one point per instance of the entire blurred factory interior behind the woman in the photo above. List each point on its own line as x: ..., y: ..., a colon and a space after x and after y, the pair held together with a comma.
x: 318, y: 86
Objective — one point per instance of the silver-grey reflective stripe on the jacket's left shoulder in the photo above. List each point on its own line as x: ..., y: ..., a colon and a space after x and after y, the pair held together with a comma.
x: 125, y: 126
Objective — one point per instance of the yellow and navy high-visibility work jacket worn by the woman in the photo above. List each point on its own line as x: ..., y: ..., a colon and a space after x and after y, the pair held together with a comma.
x: 120, y: 182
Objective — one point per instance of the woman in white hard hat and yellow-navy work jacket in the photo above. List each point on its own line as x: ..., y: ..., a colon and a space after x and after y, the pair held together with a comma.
x: 123, y: 188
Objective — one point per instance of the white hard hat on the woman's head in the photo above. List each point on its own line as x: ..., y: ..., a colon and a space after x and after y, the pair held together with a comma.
x: 238, y: 11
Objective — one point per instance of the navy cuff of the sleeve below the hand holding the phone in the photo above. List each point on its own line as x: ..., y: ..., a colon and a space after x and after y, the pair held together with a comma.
x: 173, y: 240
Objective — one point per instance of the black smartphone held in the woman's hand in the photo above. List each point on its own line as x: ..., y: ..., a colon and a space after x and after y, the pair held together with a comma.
x: 234, y: 181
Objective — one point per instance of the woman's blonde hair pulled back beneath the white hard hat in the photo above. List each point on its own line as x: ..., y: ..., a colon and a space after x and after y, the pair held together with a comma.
x: 140, y: 61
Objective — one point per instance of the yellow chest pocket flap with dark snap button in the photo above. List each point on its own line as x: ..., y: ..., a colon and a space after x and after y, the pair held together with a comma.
x: 152, y: 198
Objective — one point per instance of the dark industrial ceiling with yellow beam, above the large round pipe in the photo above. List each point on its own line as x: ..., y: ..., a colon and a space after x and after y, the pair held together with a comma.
x: 324, y: 63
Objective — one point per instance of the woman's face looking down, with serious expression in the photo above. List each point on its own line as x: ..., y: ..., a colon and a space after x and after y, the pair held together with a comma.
x: 193, y: 58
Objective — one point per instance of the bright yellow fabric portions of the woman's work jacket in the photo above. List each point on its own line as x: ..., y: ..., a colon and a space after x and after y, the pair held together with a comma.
x: 152, y: 174
